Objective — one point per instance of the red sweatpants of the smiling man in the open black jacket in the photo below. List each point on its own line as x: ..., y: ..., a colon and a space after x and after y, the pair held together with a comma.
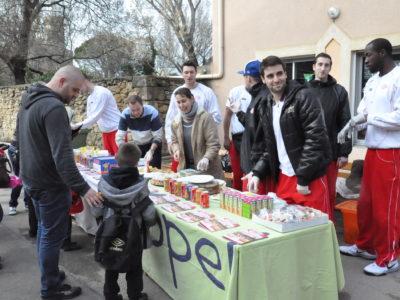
x: 318, y: 199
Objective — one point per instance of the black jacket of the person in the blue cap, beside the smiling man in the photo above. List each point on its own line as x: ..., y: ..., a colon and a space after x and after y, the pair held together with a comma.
x: 249, y: 152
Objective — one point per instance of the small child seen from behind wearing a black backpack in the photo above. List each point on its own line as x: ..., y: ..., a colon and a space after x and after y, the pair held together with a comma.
x: 122, y: 235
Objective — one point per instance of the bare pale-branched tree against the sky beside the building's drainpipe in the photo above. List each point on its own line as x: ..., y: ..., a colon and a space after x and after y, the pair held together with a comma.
x: 183, y: 30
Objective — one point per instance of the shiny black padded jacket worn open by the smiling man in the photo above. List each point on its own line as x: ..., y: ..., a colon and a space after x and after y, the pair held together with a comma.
x: 303, y: 132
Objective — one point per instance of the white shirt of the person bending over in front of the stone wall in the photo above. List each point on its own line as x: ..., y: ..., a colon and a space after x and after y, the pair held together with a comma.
x: 101, y: 108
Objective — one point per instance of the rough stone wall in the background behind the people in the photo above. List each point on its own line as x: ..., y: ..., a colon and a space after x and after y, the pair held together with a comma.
x: 155, y: 91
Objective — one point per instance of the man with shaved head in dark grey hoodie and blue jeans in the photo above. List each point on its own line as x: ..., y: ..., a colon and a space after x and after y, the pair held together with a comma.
x: 49, y: 172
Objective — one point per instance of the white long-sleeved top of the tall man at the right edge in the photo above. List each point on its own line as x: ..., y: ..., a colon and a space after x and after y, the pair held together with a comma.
x: 381, y: 102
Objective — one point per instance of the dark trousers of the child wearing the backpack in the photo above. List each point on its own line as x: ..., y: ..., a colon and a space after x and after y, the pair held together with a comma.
x: 134, y: 282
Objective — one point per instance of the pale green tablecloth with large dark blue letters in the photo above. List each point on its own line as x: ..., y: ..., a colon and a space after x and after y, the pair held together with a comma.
x: 189, y: 262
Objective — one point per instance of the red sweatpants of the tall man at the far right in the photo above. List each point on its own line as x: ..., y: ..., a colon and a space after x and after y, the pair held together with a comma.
x: 378, y: 209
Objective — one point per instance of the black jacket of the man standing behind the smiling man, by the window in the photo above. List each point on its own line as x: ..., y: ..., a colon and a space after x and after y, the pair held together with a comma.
x: 335, y: 103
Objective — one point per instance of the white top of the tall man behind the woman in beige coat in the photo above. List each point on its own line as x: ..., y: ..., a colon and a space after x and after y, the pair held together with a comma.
x: 205, y: 98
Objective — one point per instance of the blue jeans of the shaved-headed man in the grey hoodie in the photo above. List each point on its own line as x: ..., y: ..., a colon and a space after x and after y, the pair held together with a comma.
x: 52, y: 212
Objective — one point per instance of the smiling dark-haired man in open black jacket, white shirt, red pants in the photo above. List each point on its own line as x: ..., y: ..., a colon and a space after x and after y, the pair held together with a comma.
x: 297, y: 149
